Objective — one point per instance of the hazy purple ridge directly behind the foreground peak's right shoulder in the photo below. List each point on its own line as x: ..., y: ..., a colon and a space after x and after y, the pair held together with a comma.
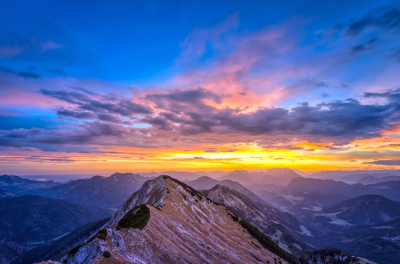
x: 205, y: 183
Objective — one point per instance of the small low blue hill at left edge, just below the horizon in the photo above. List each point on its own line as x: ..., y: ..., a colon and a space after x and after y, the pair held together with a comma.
x: 12, y: 183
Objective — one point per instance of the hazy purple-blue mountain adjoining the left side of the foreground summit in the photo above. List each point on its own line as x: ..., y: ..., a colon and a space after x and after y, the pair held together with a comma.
x: 107, y: 192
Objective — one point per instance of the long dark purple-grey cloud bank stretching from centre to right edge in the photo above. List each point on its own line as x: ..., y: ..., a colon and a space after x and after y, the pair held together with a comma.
x: 344, y: 119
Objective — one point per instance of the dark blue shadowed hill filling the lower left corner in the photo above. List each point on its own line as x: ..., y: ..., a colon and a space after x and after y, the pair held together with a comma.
x: 28, y: 220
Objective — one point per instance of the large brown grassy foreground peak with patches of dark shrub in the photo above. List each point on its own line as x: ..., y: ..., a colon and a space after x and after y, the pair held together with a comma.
x: 167, y: 221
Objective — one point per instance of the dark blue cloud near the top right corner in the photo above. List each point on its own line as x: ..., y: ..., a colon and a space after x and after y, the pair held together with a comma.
x: 385, y: 18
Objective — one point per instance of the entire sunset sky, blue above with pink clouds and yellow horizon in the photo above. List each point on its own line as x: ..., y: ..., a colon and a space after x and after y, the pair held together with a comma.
x: 128, y: 86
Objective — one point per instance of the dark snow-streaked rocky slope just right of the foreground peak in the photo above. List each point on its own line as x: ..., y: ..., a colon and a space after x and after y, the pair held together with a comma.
x: 284, y: 228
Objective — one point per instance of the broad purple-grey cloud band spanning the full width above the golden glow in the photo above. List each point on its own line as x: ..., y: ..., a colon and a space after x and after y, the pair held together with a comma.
x: 188, y: 114
